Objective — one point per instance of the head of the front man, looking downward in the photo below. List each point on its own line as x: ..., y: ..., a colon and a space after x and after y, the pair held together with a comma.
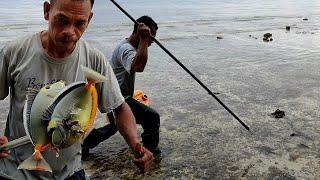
x: 67, y: 21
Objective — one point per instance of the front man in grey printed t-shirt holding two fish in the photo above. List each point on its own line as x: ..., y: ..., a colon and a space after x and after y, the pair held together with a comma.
x: 45, y: 58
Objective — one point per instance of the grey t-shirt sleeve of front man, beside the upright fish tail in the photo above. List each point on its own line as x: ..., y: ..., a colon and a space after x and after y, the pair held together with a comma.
x: 109, y: 94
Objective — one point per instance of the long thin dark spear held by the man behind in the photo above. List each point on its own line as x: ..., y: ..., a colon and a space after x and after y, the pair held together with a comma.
x: 183, y: 67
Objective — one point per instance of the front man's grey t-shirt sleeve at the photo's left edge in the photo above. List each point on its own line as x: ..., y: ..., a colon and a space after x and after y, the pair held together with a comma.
x: 4, y: 80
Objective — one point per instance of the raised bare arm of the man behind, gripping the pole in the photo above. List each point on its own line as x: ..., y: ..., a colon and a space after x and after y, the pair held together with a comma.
x: 141, y: 57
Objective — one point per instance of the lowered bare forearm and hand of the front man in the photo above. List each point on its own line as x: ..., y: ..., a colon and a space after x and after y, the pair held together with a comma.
x: 127, y: 127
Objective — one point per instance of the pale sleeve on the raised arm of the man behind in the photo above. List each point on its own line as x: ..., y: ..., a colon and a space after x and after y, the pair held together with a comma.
x: 127, y: 55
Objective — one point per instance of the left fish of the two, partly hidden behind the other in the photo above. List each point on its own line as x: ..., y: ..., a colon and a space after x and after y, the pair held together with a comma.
x: 36, y: 129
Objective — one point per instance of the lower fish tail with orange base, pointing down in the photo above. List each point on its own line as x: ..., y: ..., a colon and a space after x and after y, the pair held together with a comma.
x: 36, y: 162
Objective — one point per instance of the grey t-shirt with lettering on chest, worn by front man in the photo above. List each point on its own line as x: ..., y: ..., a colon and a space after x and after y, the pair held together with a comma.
x: 24, y: 64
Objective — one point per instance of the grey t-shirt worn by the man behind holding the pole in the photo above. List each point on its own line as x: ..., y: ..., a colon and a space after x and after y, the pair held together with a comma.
x: 121, y: 62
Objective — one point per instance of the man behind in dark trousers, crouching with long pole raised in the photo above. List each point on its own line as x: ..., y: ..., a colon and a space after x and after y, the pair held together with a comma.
x: 129, y: 57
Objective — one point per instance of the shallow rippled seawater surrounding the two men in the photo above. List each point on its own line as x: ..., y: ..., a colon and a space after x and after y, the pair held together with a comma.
x: 199, y: 138
